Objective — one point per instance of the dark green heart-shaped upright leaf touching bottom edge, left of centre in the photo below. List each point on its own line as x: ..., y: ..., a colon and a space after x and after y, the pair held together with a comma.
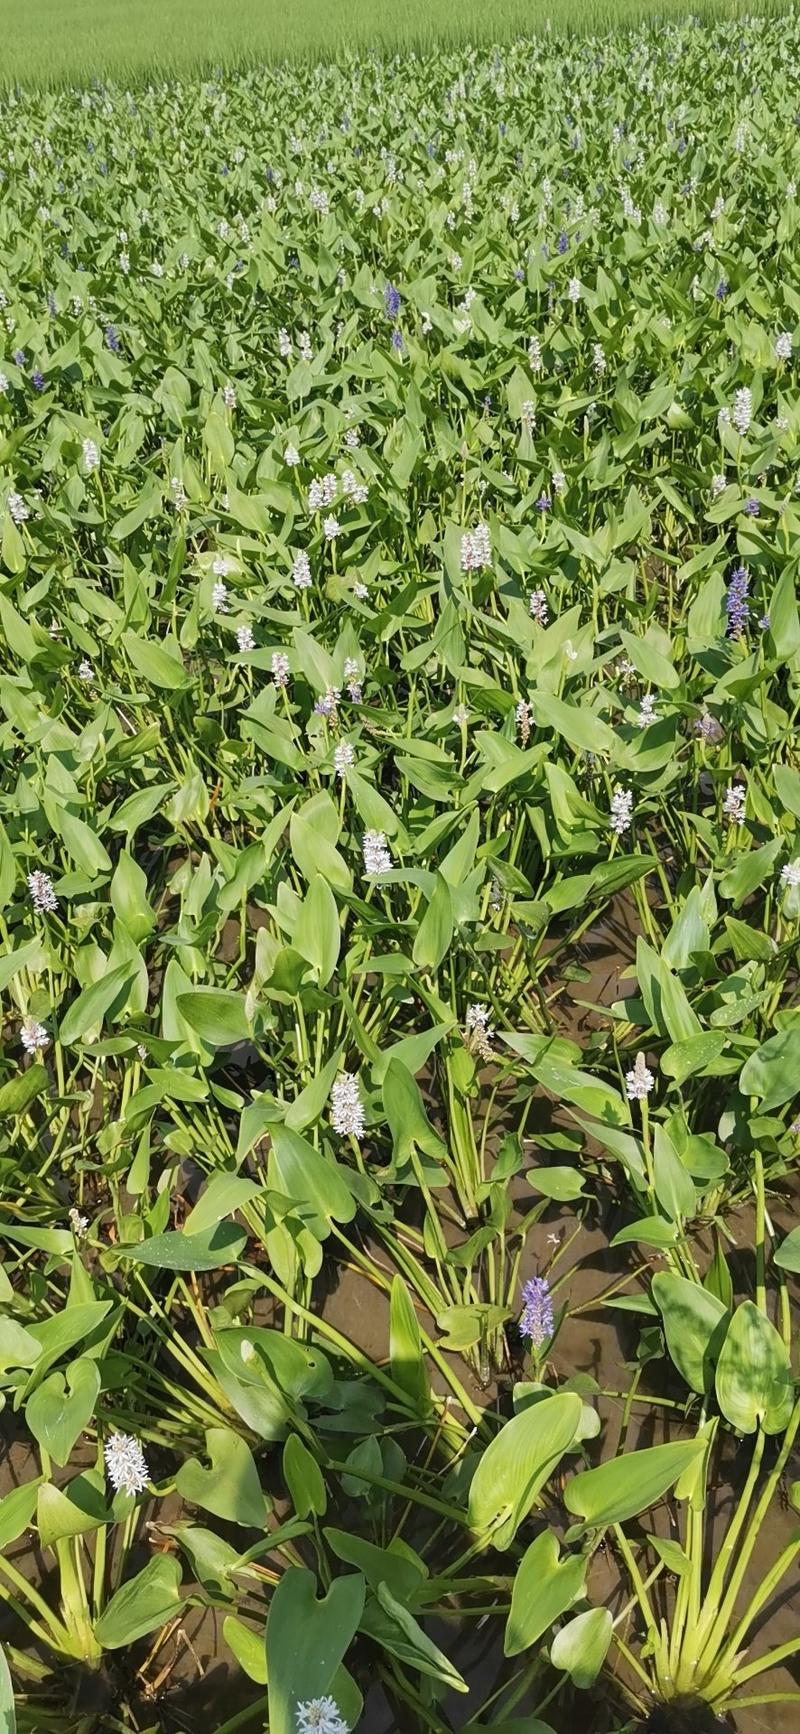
x: 308, y: 1639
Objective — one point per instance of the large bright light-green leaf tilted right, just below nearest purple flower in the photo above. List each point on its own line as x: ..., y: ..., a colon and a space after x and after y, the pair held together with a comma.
x: 516, y: 1466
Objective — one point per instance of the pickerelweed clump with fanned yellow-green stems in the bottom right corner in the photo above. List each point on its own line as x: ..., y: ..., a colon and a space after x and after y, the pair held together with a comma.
x: 737, y: 1362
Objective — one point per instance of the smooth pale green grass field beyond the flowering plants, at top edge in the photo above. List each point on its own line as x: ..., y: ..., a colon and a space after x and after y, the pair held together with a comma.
x: 70, y: 42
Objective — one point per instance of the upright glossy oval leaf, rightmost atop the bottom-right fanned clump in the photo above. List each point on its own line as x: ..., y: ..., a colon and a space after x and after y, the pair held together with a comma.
x: 754, y: 1374
